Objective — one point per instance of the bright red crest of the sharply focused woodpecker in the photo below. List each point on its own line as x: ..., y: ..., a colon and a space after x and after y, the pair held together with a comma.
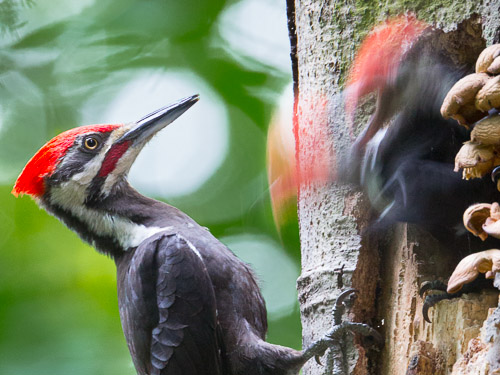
x: 45, y: 161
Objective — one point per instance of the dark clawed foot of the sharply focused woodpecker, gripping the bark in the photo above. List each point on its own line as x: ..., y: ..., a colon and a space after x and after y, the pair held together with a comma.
x: 334, y: 339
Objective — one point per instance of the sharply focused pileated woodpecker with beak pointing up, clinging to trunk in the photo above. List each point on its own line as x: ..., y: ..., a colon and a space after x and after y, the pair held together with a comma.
x: 187, y: 304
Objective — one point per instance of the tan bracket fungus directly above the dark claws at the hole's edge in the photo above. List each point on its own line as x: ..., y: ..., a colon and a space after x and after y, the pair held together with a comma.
x: 487, y: 262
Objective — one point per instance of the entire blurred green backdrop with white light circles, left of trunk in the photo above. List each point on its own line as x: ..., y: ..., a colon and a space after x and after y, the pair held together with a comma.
x: 70, y: 63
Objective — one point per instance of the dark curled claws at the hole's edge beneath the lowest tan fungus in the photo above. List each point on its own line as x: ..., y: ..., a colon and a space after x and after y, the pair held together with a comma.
x: 437, y: 285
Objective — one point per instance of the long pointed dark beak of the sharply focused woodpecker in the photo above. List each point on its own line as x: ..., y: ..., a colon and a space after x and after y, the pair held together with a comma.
x: 149, y: 125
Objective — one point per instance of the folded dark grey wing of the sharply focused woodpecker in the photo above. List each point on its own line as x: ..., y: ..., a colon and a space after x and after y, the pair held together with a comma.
x: 184, y: 338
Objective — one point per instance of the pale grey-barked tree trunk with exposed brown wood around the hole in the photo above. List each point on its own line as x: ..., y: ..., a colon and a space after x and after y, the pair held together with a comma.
x: 387, y: 270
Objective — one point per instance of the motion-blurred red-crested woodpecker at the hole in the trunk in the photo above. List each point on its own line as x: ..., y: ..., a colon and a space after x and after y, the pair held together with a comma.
x: 406, y: 169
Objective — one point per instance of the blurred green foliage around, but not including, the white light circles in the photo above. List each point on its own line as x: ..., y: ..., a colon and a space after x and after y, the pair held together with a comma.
x: 58, y: 305
